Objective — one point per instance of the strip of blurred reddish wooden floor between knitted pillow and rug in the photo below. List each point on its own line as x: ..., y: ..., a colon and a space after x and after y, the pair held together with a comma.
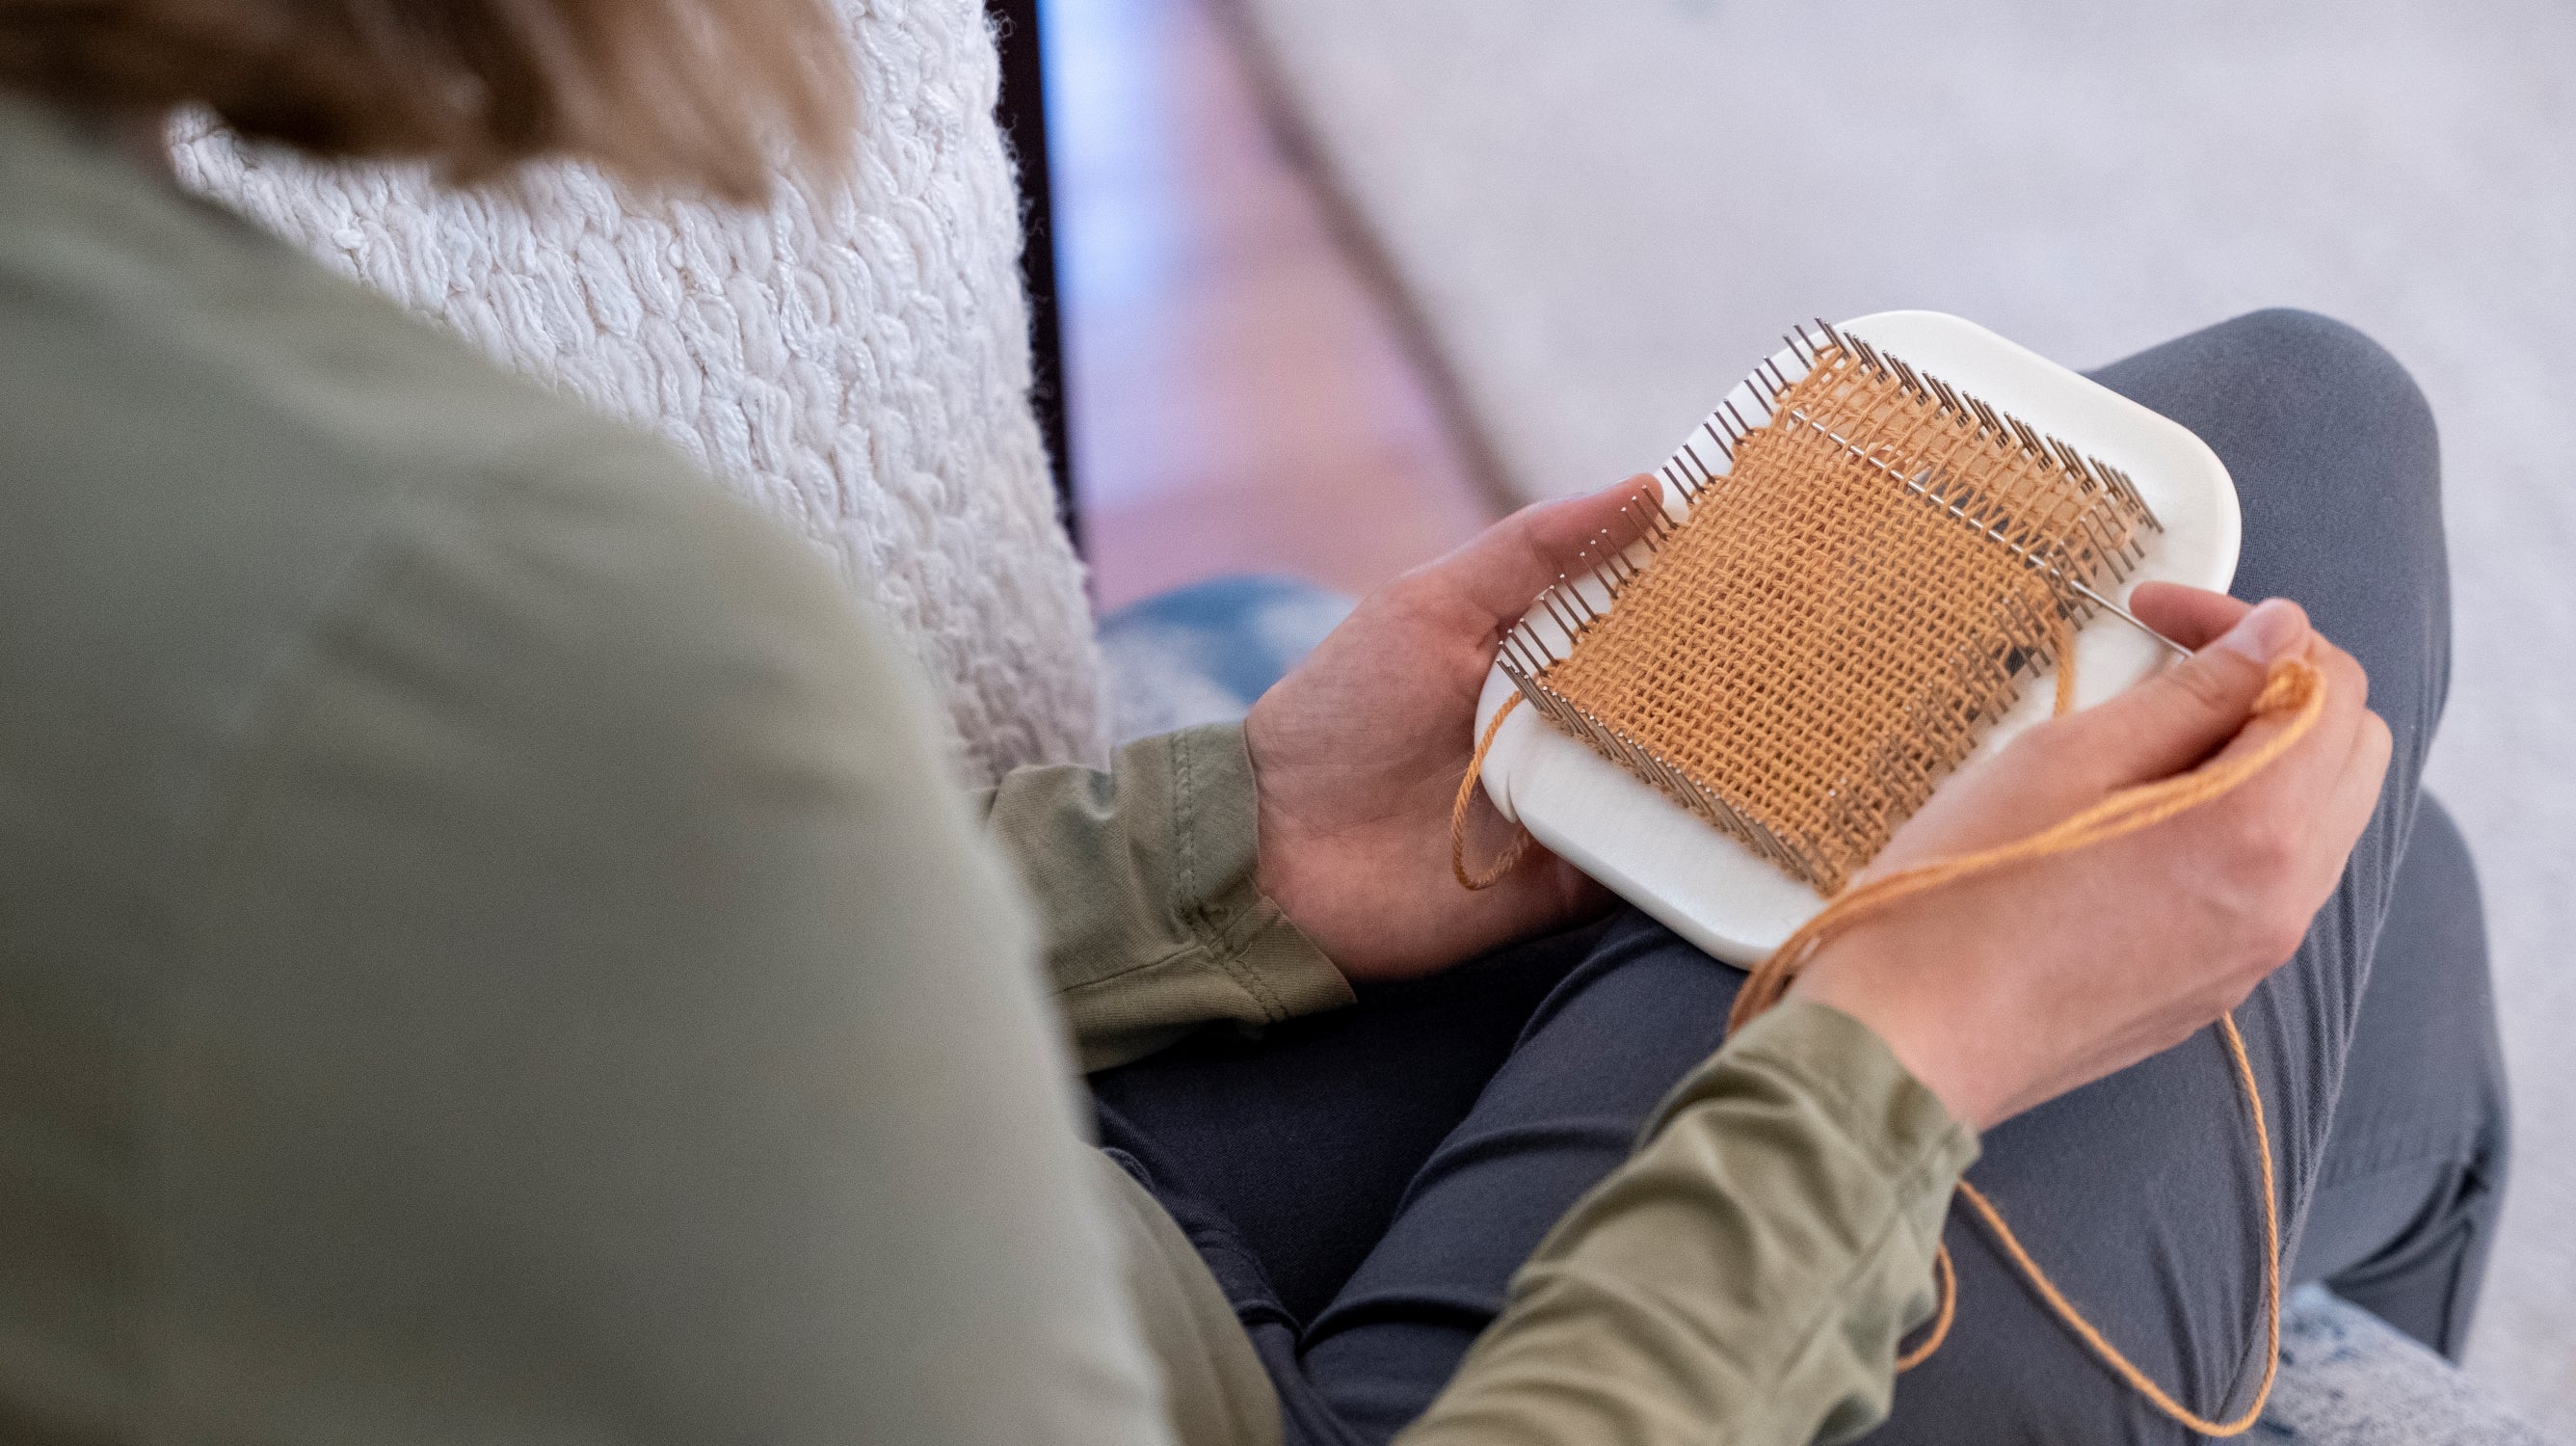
x: 1240, y: 403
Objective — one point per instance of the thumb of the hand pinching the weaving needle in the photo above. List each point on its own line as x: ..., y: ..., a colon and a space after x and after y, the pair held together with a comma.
x: 2191, y: 710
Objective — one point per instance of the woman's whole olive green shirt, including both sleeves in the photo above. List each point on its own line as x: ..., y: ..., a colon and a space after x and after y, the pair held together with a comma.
x: 488, y: 952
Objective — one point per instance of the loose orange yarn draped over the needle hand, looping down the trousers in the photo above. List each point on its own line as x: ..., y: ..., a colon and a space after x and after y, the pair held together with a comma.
x: 2294, y: 689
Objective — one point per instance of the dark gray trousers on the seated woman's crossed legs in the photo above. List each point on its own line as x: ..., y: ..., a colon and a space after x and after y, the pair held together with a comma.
x: 1369, y: 1182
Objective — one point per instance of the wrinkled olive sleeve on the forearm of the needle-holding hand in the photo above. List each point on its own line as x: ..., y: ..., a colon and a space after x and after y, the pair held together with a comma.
x: 1745, y: 1275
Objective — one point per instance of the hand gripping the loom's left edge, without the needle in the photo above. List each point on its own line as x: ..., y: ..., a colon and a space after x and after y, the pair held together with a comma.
x: 1361, y: 751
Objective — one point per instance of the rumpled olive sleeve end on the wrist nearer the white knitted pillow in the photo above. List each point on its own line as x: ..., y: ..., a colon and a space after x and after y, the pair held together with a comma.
x: 1148, y: 898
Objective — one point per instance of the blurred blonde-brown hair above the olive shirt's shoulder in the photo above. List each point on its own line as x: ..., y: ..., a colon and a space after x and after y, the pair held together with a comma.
x: 707, y: 94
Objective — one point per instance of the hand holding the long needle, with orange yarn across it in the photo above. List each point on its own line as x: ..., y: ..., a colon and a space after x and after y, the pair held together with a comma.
x: 2011, y: 988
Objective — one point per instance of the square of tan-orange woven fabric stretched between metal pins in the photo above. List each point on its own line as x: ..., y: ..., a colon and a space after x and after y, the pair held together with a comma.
x: 1820, y: 641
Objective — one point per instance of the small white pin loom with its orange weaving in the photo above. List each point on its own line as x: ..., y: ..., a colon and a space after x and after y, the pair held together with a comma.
x: 1859, y: 574
